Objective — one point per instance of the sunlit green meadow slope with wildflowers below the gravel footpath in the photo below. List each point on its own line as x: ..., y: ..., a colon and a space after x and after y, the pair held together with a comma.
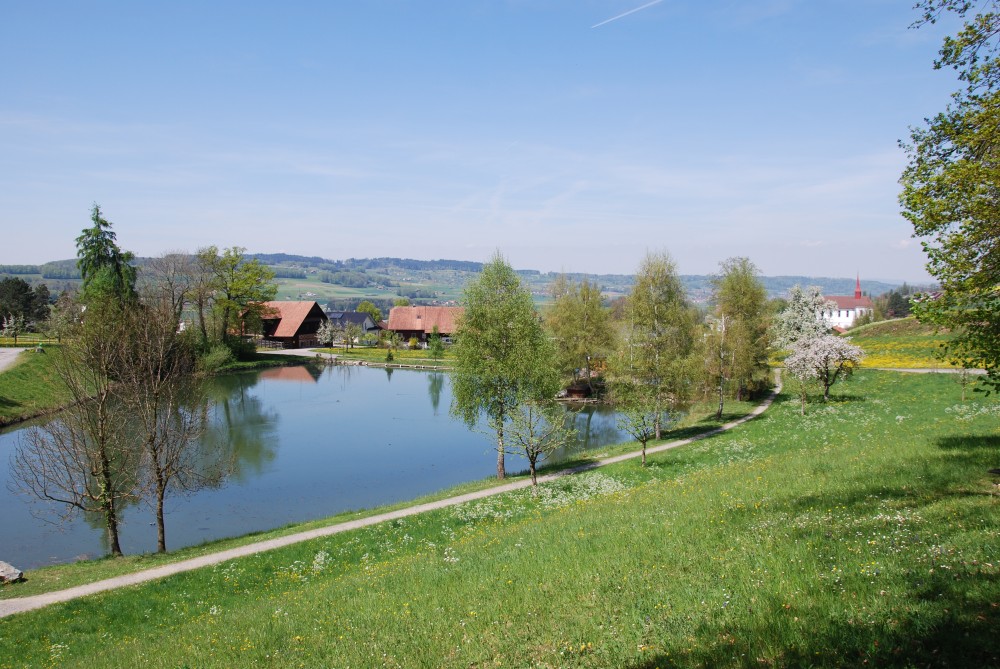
x: 864, y: 533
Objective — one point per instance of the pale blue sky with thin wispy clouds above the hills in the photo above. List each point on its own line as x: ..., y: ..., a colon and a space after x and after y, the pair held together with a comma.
x: 570, y: 135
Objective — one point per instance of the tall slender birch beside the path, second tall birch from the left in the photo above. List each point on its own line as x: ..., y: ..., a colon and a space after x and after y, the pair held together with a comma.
x: 654, y: 366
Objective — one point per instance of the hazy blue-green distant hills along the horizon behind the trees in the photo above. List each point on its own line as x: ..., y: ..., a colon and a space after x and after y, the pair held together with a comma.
x: 345, y: 282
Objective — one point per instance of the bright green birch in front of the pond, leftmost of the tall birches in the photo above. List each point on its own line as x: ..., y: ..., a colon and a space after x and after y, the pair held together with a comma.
x: 502, y: 355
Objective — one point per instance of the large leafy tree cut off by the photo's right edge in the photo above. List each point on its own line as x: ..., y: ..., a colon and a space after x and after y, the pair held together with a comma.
x: 950, y: 185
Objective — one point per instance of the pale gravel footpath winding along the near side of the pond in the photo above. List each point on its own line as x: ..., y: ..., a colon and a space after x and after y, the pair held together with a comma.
x: 10, y: 607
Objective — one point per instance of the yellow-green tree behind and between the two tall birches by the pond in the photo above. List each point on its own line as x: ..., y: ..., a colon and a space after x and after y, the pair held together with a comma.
x: 580, y: 325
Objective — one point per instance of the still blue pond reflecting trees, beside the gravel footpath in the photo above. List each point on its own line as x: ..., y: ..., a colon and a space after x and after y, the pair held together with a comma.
x: 304, y: 443
